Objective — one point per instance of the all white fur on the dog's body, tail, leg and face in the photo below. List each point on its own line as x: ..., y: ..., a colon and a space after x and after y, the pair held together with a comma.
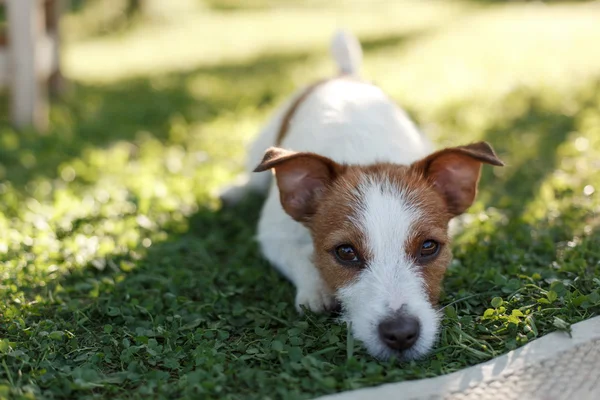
x: 353, y: 122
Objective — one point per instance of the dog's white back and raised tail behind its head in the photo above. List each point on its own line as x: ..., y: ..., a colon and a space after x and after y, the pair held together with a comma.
x: 350, y: 120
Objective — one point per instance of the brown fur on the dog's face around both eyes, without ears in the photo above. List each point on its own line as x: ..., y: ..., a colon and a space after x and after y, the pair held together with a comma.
x: 332, y: 224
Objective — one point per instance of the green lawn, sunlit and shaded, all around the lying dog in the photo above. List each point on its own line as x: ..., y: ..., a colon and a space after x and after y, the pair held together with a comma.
x: 121, y: 277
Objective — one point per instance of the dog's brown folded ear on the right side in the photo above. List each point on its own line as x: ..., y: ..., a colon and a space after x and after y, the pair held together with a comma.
x: 455, y: 173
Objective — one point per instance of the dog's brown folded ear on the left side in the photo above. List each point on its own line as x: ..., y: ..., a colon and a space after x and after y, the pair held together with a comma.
x: 301, y: 177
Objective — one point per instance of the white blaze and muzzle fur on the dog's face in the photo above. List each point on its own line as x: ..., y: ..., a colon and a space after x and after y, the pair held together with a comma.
x: 391, y: 280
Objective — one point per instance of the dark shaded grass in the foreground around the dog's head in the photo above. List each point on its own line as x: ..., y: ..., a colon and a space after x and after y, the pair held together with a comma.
x: 203, y: 315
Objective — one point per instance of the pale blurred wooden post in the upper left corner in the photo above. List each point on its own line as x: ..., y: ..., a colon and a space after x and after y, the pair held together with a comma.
x: 28, y: 89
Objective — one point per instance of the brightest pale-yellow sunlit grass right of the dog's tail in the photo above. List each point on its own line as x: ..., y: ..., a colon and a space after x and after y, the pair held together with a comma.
x: 484, y: 54
